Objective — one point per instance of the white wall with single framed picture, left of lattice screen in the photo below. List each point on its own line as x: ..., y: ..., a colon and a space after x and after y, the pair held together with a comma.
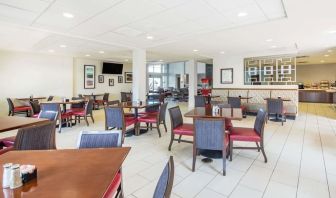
x: 237, y: 63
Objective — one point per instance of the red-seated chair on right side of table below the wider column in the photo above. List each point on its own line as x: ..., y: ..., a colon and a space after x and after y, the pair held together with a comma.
x: 158, y: 119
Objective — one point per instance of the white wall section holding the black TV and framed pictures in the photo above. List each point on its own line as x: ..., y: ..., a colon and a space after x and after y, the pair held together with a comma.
x: 100, y: 87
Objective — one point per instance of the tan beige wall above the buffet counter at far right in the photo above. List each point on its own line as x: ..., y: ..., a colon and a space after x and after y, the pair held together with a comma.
x: 316, y: 73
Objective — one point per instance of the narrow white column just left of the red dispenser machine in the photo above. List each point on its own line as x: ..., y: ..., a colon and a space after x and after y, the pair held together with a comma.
x: 191, y: 70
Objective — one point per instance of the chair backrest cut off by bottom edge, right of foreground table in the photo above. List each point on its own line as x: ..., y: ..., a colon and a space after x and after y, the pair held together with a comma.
x: 165, y: 184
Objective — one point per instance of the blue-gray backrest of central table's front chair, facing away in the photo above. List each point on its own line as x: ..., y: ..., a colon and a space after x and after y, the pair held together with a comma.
x: 209, y: 133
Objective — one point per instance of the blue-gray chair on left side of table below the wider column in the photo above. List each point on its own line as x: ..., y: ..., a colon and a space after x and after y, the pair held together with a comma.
x: 115, y: 118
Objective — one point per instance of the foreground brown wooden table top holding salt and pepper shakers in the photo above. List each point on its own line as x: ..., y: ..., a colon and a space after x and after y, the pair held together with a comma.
x: 67, y: 173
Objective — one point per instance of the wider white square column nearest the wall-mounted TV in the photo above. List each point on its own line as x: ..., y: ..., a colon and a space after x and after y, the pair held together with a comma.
x: 139, y: 68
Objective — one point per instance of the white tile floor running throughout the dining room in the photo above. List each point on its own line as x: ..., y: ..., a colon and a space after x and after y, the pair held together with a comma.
x: 301, y: 160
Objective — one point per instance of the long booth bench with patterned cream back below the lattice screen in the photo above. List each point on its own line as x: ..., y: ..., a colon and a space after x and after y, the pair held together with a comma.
x: 258, y: 96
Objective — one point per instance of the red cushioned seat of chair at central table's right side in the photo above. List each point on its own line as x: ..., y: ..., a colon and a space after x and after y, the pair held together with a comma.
x: 244, y: 134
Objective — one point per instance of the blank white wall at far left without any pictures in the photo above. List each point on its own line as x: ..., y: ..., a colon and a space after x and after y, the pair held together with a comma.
x: 23, y: 74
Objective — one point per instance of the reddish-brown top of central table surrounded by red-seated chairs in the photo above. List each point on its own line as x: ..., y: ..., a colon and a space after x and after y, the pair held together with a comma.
x: 205, y: 112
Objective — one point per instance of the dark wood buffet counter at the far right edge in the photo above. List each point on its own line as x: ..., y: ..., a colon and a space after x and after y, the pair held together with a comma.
x: 317, y: 95
